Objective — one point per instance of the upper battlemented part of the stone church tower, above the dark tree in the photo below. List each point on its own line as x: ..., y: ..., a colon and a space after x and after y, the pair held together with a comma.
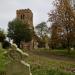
x: 26, y: 16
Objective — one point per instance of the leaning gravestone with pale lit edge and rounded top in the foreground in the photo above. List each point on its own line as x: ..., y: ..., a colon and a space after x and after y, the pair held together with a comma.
x: 16, y: 65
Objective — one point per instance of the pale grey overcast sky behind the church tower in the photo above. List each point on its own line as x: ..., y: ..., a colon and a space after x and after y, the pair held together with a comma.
x: 40, y: 9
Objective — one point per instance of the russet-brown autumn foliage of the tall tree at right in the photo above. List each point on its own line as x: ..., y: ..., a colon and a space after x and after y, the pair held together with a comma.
x: 63, y: 28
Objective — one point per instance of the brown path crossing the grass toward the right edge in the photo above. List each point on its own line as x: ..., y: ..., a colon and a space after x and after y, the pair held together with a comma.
x: 51, y: 56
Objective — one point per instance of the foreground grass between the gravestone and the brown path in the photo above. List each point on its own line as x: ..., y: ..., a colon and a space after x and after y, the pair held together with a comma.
x: 41, y: 65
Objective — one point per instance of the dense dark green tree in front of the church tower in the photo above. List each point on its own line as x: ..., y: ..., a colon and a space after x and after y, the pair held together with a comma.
x: 19, y: 32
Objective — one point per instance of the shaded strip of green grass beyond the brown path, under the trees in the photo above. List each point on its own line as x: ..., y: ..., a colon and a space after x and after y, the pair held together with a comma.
x: 62, y: 52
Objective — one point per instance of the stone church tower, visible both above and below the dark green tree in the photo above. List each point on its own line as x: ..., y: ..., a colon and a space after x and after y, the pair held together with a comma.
x: 26, y: 16
